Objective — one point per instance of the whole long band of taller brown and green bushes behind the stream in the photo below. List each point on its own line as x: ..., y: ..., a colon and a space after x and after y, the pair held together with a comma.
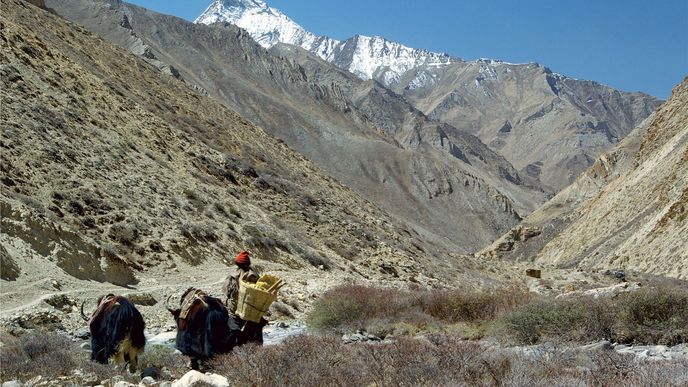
x: 648, y: 316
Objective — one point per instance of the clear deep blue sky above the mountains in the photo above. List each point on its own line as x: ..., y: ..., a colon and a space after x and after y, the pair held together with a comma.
x: 631, y: 45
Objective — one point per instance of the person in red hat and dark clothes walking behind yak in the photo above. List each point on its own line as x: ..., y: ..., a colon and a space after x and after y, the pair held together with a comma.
x: 242, y: 331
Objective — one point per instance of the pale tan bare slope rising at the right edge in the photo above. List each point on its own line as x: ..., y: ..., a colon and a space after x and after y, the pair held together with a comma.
x: 628, y: 210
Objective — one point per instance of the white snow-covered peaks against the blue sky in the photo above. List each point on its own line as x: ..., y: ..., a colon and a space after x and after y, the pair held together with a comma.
x: 367, y: 57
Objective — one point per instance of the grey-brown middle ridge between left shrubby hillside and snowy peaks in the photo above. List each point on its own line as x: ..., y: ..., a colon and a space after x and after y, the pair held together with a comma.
x: 449, y: 185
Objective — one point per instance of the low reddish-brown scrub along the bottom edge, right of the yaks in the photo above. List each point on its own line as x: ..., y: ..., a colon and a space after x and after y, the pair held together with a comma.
x: 436, y: 360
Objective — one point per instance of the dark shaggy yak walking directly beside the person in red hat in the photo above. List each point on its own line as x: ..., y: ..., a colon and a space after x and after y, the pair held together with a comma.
x: 202, y: 327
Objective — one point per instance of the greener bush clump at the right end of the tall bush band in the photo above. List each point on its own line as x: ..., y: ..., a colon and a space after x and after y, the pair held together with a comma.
x: 646, y: 316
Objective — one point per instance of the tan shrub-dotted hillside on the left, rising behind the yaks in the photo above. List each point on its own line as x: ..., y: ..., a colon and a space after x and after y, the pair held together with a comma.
x: 114, y: 173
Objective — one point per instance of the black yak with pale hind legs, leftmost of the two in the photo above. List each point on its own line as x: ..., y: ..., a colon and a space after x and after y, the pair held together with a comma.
x: 116, y: 331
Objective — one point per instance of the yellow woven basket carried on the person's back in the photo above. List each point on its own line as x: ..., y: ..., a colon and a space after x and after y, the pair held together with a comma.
x: 255, y: 299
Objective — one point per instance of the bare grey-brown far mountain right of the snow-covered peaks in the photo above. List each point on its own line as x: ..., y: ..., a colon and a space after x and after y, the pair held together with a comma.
x: 548, y: 126
